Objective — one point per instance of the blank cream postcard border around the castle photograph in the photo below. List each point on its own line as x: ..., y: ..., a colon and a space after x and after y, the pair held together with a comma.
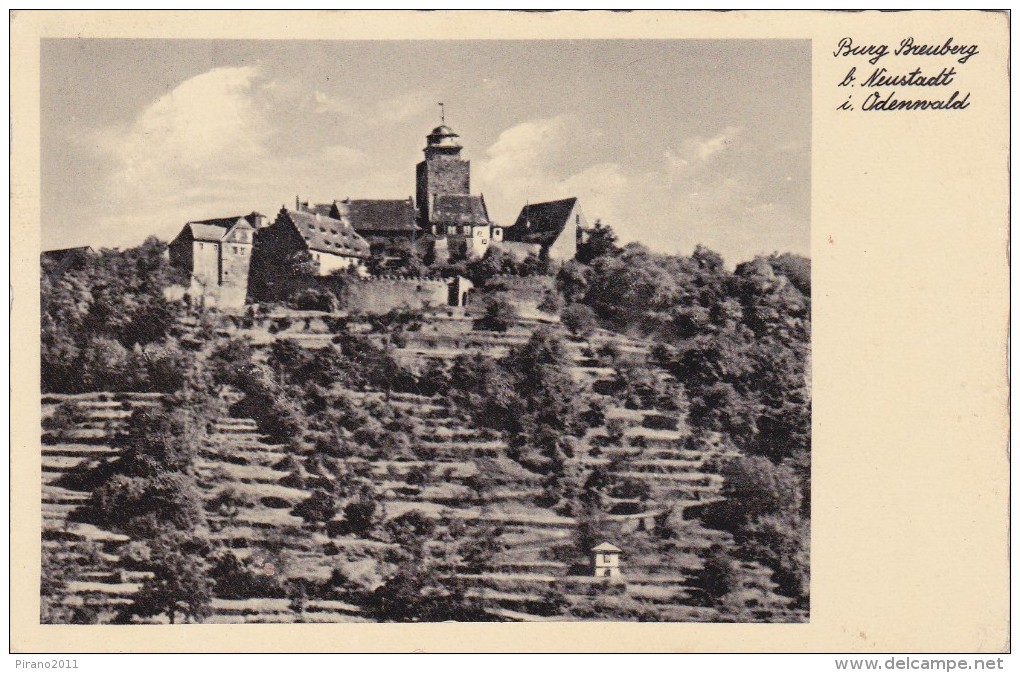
x: 910, y: 319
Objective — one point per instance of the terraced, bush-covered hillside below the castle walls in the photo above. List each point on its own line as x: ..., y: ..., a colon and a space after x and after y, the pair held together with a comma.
x: 280, y: 465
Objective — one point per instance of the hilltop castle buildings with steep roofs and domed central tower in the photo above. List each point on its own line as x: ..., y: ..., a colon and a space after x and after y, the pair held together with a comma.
x: 444, y: 221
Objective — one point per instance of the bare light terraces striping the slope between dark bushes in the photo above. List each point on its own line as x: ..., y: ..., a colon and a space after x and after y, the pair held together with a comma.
x: 250, y: 488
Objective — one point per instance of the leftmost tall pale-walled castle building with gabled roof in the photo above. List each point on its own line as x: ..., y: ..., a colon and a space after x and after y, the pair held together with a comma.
x: 218, y: 255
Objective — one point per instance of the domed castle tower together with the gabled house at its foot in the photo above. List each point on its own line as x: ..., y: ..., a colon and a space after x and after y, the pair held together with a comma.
x: 446, y: 206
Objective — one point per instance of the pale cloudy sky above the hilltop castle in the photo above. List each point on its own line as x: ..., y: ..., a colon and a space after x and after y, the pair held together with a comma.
x: 673, y: 143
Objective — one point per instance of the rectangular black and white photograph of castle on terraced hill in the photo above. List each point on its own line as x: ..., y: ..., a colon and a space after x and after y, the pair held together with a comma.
x: 348, y: 332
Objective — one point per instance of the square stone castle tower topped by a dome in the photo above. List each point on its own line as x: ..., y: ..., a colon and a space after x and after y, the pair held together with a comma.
x: 443, y: 173
